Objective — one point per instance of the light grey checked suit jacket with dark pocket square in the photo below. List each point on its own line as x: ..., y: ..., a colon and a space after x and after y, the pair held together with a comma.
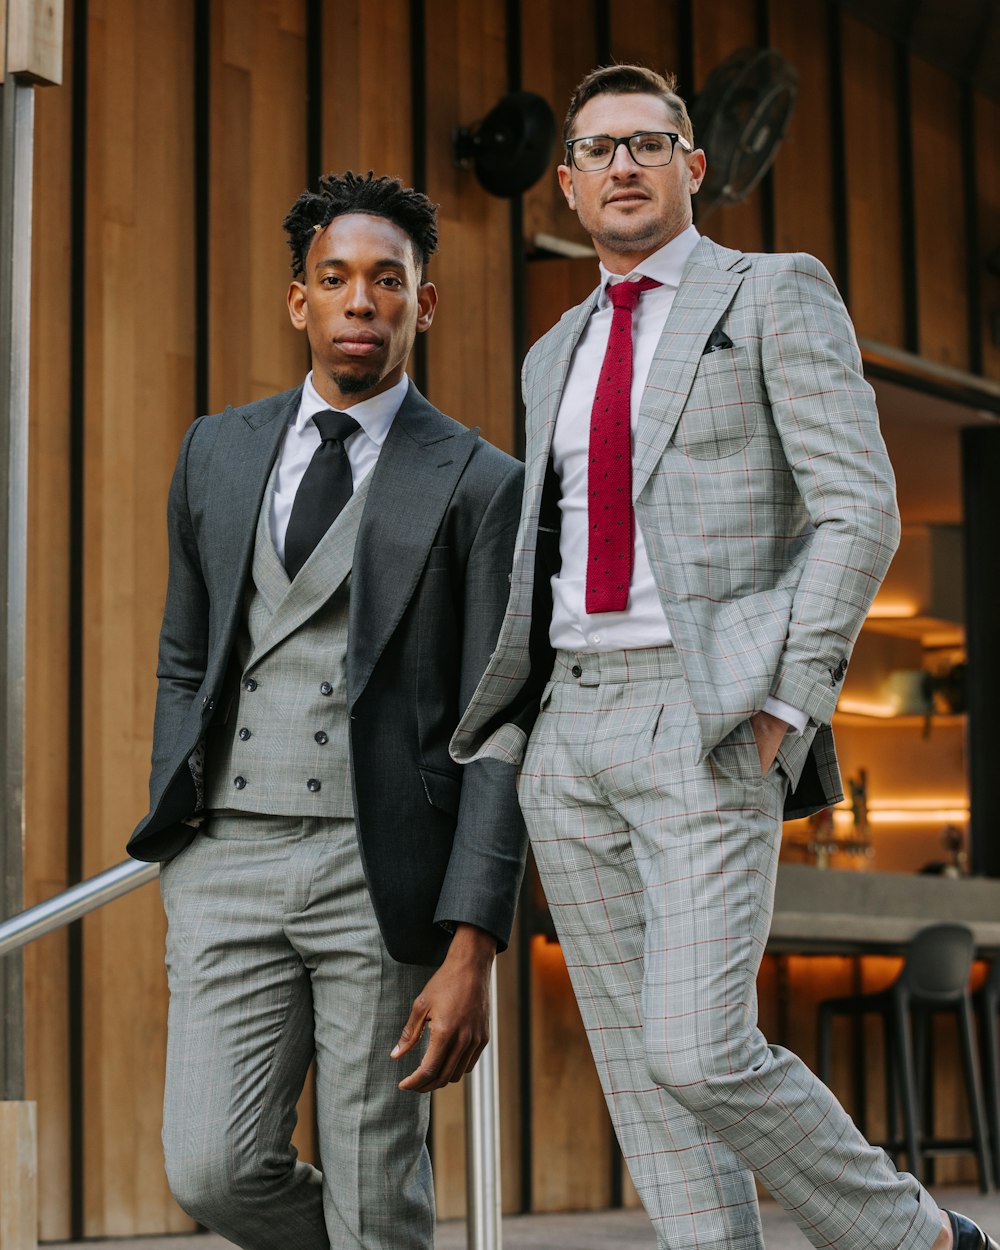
x: 766, y: 497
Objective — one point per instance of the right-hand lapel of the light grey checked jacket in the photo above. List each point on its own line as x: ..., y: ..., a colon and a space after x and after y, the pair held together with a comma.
x: 708, y: 287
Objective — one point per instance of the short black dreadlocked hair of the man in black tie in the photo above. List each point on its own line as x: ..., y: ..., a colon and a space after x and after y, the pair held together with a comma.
x: 349, y: 193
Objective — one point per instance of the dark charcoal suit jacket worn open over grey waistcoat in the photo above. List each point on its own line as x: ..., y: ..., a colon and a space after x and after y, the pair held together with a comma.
x: 441, y: 843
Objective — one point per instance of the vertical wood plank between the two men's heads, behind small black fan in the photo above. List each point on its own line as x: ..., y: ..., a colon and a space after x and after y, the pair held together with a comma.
x: 471, y: 344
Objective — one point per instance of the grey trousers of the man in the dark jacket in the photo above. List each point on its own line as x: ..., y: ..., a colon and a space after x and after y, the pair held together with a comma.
x: 274, y: 953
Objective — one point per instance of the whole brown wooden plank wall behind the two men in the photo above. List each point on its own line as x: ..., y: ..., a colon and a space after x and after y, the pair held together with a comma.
x: 179, y: 274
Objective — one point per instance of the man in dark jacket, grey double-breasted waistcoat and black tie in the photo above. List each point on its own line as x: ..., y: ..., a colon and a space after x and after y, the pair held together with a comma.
x: 334, y: 883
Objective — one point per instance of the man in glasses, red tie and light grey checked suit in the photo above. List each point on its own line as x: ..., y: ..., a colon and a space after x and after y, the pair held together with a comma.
x: 709, y: 577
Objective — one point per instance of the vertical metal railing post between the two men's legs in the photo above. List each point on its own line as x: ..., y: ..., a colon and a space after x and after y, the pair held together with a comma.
x: 483, y: 1144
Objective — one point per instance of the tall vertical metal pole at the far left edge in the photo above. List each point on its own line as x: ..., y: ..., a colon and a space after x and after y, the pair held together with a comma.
x: 17, y: 139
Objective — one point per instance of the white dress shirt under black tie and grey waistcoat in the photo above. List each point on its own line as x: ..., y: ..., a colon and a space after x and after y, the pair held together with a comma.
x: 302, y: 439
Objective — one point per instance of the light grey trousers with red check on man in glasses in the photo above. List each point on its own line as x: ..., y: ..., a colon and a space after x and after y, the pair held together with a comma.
x: 659, y: 869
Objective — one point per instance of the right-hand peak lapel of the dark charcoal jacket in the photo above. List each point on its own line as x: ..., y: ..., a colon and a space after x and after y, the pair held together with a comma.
x: 419, y: 467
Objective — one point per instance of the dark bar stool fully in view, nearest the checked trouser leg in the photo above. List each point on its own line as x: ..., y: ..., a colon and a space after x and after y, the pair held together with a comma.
x: 934, y: 978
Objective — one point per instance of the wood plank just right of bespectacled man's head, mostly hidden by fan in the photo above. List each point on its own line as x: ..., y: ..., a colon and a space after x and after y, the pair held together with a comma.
x: 719, y: 31
